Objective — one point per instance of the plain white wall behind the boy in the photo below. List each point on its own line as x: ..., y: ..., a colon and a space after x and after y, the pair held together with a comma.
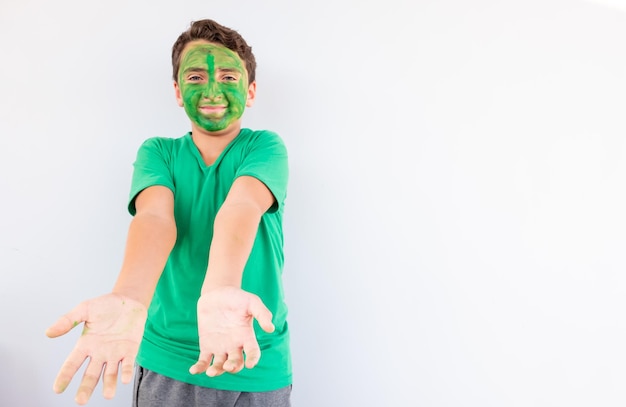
x: 455, y: 223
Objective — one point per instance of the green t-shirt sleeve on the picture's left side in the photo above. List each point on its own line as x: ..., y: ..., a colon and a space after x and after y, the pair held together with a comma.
x: 151, y: 167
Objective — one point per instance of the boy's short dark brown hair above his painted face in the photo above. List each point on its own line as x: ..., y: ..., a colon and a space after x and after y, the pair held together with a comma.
x: 211, y: 31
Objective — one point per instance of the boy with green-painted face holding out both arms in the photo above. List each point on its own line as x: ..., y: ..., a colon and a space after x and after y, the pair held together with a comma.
x: 199, y: 294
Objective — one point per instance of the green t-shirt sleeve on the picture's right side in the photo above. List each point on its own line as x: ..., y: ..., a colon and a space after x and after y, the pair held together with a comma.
x: 267, y: 161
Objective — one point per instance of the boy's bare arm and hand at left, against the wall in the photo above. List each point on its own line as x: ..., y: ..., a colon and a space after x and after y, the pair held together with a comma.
x: 114, y: 322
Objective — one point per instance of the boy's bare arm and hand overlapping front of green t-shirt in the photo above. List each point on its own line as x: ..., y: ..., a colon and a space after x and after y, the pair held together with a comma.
x: 225, y: 312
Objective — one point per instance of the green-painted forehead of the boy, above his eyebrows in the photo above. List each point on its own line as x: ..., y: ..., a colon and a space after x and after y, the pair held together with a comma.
x: 209, y: 57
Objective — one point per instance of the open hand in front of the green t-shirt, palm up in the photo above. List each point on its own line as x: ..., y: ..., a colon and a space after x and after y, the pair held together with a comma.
x: 226, y: 333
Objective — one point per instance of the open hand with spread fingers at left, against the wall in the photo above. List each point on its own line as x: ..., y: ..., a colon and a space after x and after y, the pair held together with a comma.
x: 111, y: 335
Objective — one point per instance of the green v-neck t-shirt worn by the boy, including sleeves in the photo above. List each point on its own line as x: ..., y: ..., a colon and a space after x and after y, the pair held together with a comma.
x: 170, y: 342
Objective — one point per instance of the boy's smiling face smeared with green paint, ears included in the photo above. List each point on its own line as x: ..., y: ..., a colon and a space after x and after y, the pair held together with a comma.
x: 213, y: 85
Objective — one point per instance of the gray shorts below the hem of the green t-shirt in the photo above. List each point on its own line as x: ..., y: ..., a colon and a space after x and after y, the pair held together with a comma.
x: 154, y: 390
